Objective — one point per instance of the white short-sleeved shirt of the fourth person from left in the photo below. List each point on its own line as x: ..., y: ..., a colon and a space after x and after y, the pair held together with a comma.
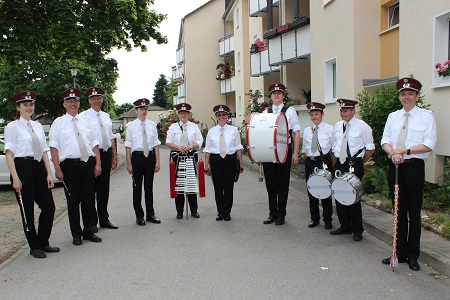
x: 134, y: 139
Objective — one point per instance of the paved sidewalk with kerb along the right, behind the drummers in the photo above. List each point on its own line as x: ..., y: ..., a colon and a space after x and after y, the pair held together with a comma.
x: 435, y: 250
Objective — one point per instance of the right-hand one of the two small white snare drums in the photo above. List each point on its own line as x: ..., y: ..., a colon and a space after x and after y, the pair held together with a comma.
x: 347, y: 189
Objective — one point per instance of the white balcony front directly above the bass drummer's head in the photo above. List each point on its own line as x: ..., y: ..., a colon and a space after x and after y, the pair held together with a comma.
x: 289, y: 46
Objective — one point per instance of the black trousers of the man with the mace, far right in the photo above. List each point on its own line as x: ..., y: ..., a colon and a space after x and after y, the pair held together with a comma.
x: 411, y: 178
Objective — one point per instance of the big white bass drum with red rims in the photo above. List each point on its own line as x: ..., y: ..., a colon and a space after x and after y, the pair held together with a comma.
x: 267, y: 137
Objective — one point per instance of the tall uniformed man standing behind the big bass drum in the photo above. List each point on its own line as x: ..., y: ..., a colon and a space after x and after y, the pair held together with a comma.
x: 278, y: 175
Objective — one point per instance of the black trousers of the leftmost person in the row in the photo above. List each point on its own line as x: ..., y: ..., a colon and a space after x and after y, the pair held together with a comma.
x: 33, y: 176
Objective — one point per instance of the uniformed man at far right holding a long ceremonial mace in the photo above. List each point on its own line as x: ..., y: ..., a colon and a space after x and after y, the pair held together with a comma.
x: 408, y: 138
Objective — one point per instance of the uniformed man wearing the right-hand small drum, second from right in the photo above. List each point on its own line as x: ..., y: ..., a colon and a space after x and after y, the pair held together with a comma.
x: 353, y: 146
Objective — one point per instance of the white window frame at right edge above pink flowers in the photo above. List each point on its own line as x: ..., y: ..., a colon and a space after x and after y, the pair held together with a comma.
x: 441, y: 47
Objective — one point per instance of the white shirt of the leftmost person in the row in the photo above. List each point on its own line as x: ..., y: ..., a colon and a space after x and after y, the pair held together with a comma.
x: 18, y: 138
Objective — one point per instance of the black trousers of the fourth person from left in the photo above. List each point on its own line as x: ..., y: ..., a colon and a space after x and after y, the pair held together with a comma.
x: 143, y: 171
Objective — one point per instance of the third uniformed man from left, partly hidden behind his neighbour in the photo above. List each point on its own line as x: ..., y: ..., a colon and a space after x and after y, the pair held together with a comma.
x: 101, y: 121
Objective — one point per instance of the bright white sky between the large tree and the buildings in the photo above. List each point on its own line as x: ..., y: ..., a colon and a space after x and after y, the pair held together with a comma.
x: 139, y: 71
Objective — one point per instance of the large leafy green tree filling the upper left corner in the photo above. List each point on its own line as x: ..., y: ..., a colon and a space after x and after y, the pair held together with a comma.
x: 61, y: 34
